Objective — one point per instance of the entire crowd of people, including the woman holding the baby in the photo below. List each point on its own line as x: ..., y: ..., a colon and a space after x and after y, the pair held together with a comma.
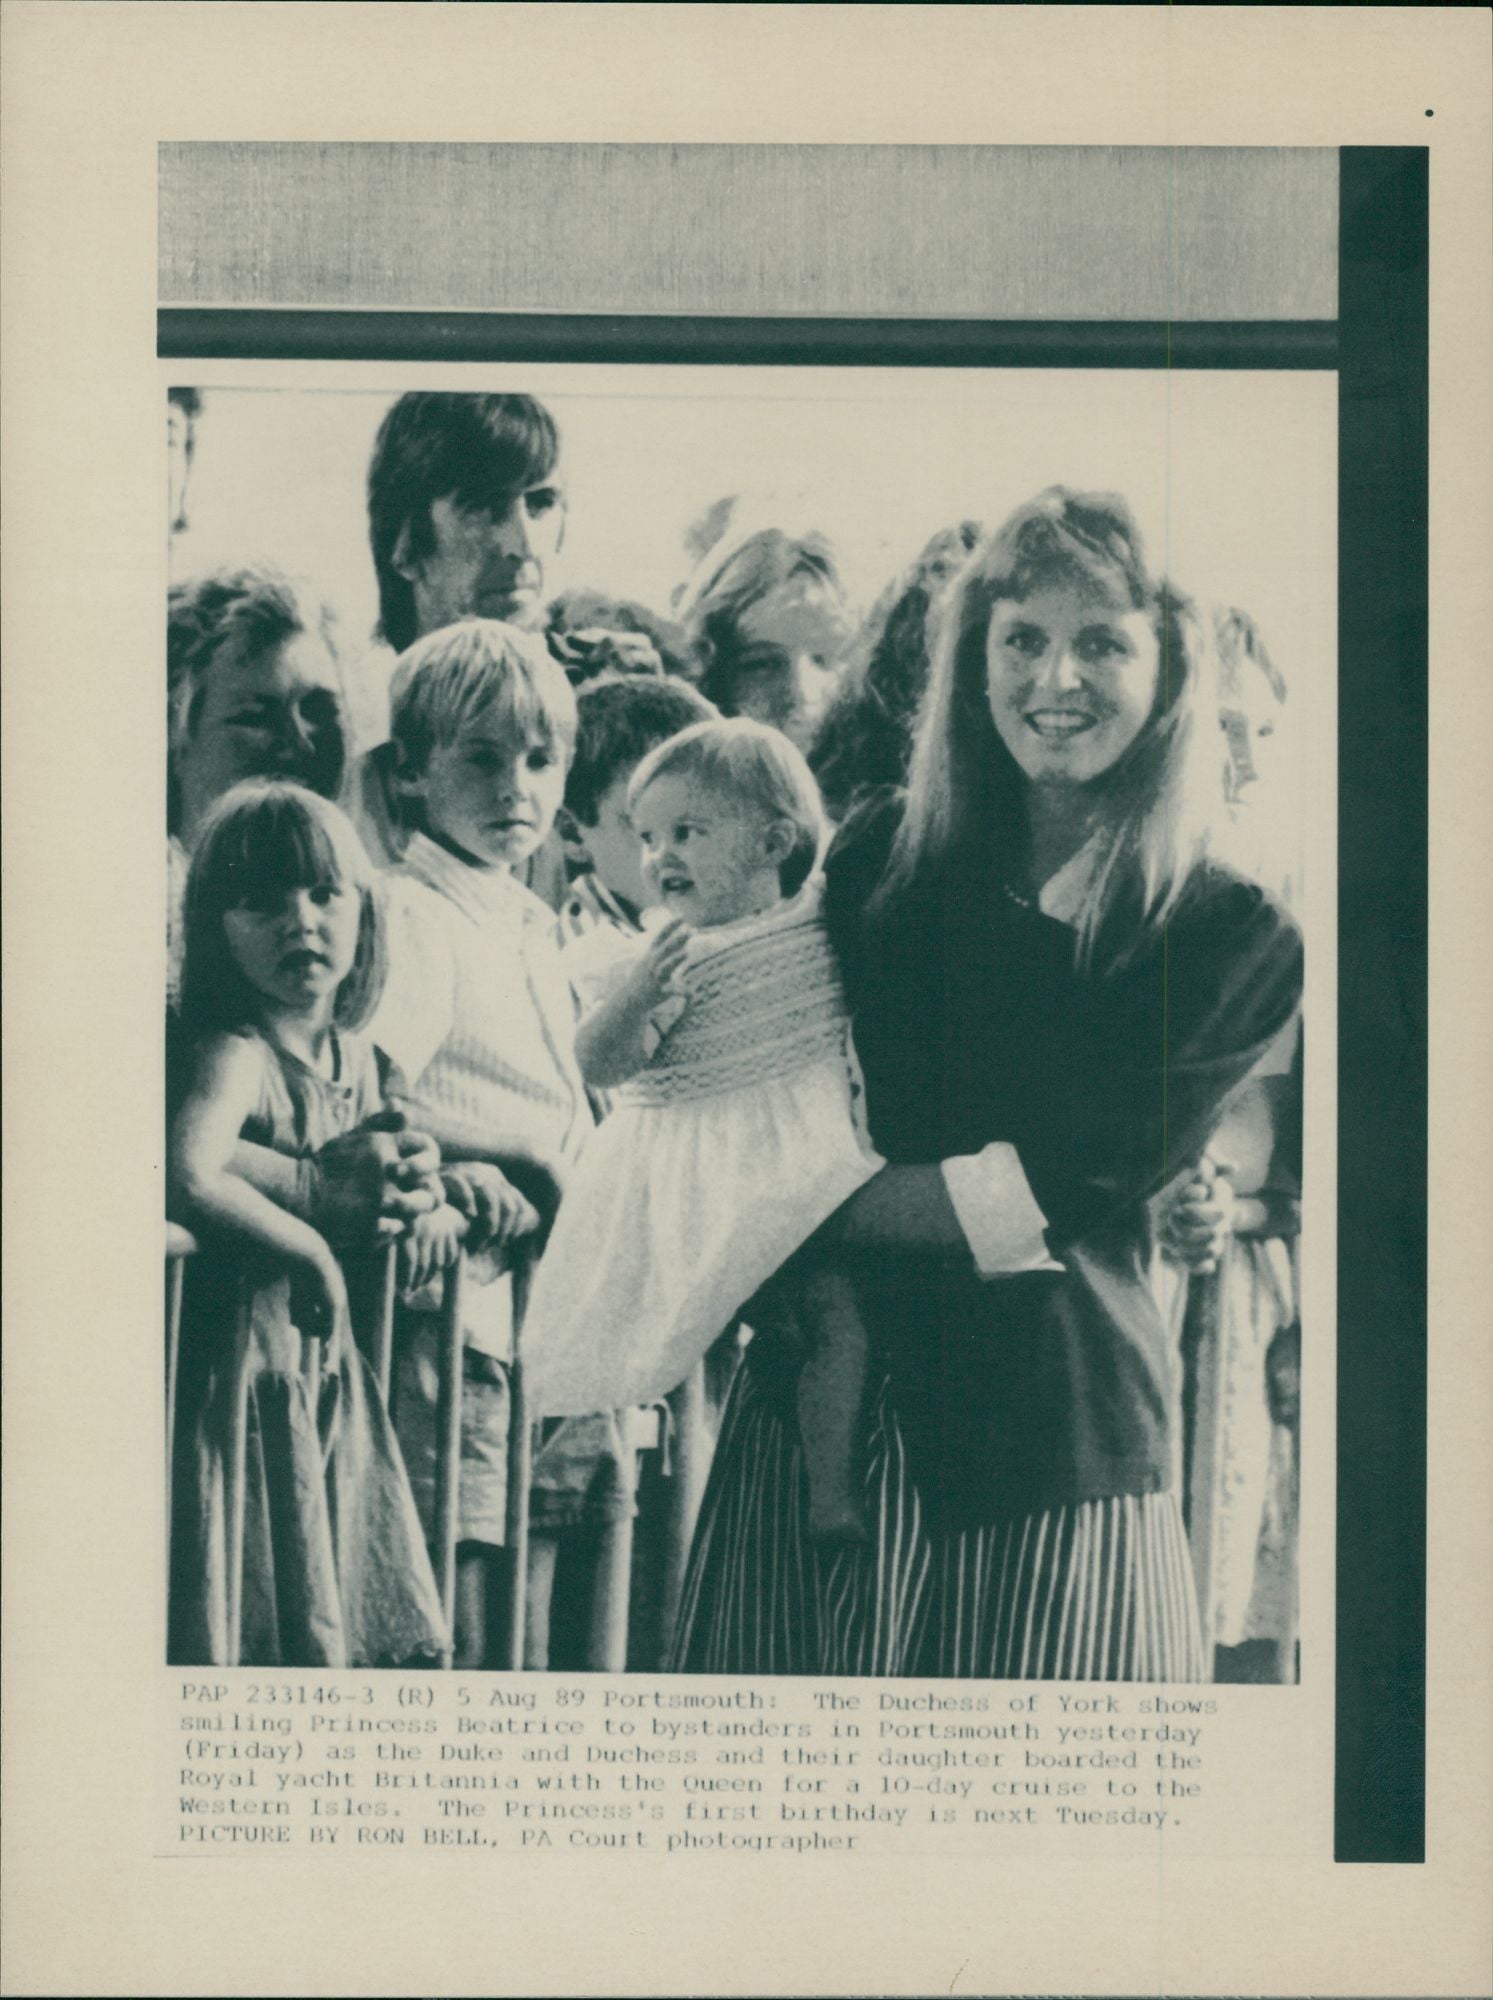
x: 890, y: 1017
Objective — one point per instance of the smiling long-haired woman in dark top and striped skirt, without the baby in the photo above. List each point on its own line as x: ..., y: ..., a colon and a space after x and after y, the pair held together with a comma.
x: 1054, y: 991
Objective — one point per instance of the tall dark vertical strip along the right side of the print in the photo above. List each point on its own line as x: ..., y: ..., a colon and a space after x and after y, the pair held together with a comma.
x: 1382, y: 1017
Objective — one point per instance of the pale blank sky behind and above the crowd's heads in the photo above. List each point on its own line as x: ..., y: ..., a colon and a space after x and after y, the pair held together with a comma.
x: 1234, y: 477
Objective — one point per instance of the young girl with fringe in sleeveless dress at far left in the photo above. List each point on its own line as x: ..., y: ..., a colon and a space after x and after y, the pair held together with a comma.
x: 283, y: 963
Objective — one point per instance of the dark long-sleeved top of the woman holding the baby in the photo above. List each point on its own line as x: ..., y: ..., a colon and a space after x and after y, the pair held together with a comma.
x: 974, y: 1025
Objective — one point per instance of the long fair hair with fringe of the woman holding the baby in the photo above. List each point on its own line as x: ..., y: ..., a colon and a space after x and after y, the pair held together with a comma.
x: 966, y: 793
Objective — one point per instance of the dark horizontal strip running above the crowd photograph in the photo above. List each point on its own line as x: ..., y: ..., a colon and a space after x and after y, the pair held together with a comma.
x: 351, y: 335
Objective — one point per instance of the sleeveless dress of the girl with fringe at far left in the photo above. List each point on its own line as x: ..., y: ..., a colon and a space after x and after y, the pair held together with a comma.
x: 335, y: 1563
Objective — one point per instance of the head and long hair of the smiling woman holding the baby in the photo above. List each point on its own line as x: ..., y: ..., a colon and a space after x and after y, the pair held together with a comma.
x: 1078, y: 713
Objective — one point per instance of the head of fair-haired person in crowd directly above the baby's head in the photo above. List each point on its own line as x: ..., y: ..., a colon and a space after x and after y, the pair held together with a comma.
x: 770, y: 623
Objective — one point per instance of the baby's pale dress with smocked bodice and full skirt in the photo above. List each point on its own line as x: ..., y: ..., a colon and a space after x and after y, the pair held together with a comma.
x: 717, y: 1161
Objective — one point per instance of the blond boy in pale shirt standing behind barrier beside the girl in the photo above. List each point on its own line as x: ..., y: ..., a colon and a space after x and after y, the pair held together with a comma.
x: 477, y: 1019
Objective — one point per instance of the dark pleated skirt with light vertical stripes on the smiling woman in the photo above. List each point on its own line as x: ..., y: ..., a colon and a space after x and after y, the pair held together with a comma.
x: 1098, y: 1591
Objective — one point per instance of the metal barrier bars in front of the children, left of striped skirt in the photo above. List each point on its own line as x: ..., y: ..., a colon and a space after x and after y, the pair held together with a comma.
x: 681, y: 1423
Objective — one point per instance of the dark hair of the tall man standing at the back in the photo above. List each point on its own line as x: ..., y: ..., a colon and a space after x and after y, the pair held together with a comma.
x: 435, y: 445
